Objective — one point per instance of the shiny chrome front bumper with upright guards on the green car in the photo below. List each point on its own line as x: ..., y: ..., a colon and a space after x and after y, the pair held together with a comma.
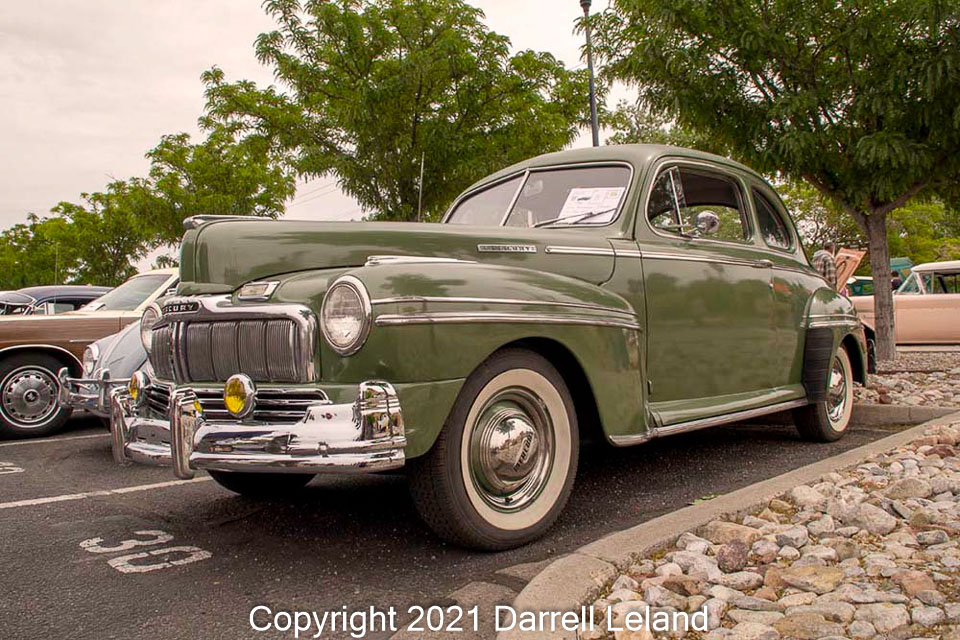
x: 362, y: 437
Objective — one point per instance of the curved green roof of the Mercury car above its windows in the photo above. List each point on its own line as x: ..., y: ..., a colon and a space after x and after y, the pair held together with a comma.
x: 638, y: 155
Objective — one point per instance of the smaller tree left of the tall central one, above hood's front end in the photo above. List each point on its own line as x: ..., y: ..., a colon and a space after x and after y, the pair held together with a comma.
x: 223, y: 175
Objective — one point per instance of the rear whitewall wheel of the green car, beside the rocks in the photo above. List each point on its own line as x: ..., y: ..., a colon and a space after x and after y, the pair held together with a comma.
x: 828, y: 419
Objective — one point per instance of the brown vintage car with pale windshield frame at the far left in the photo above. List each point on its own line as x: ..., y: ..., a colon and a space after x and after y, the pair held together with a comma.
x: 34, y: 348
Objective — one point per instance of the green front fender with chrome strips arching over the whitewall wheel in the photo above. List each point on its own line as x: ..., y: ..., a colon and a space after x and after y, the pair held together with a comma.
x: 437, y: 322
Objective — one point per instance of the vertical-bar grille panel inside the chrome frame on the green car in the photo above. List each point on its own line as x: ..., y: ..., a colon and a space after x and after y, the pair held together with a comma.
x: 267, y: 350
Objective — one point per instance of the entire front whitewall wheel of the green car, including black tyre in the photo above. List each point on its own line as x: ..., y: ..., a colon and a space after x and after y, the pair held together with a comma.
x: 503, y: 467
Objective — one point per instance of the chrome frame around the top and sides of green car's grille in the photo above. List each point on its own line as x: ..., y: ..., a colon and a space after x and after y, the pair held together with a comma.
x: 219, y: 307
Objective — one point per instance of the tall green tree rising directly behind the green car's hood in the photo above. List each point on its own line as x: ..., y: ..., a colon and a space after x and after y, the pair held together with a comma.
x: 369, y: 88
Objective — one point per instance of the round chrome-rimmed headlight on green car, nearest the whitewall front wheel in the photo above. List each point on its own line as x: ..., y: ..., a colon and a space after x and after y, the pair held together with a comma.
x: 345, y: 315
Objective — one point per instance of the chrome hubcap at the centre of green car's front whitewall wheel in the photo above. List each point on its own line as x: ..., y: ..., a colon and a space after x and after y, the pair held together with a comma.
x: 510, y: 449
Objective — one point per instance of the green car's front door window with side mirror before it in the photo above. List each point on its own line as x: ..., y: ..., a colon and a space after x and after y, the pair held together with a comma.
x: 695, y: 191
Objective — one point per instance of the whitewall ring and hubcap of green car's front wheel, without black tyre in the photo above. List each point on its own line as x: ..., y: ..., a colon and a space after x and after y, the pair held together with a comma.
x: 515, y: 449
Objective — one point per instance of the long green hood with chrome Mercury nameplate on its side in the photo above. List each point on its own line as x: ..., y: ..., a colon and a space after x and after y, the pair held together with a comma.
x: 220, y: 256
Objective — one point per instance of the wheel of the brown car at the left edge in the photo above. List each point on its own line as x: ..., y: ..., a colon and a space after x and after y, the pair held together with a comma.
x: 28, y: 396
